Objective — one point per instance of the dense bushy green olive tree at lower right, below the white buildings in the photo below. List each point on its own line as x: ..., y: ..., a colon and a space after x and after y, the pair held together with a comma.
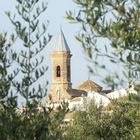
x: 119, y: 120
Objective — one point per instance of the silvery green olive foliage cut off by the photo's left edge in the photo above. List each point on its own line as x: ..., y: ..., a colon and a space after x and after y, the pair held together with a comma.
x: 7, y: 57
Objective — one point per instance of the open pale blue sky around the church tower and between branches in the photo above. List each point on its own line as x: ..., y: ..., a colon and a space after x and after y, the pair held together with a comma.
x: 55, y: 14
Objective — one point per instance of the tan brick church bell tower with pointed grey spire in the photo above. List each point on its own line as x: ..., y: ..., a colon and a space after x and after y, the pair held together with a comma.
x: 61, y: 70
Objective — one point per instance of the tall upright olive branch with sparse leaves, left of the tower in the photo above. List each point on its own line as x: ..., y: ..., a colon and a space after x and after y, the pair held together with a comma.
x: 32, y: 34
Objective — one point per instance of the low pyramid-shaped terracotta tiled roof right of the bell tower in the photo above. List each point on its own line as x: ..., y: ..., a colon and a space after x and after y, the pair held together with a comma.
x: 89, y: 86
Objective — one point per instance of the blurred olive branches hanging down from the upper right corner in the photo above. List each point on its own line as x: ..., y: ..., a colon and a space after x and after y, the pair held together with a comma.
x: 116, y: 22
